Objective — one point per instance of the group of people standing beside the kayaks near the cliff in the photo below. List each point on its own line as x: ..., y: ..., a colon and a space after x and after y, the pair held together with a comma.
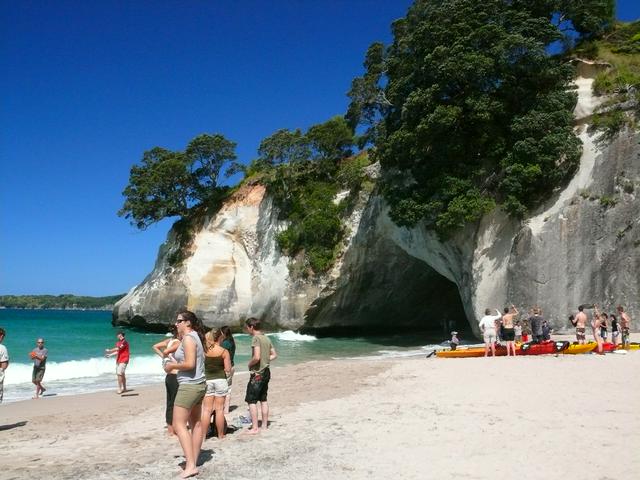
x: 504, y: 326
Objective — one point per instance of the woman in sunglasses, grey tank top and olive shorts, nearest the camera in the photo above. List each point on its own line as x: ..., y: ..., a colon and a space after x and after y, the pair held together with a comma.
x: 187, y: 407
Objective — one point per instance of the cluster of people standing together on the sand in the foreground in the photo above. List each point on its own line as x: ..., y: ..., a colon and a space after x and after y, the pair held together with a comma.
x: 200, y: 367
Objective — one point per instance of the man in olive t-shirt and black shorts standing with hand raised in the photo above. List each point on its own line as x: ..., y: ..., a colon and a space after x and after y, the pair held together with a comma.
x: 262, y: 353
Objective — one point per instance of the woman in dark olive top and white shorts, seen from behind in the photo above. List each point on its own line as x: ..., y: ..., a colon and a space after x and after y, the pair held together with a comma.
x: 217, y: 366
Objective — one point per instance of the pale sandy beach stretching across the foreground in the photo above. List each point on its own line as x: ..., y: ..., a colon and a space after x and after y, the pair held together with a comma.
x: 527, y: 417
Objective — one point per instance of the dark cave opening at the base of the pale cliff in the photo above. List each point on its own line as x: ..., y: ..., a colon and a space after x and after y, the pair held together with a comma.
x: 383, y: 291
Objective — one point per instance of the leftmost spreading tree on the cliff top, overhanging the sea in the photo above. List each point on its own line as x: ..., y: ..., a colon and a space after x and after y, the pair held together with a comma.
x: 168, y: 183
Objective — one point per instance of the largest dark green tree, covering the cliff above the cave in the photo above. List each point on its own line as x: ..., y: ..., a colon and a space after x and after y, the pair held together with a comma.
x: 472, y: 108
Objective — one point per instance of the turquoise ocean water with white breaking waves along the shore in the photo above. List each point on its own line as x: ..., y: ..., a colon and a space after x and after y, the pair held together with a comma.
x: 76, y: 341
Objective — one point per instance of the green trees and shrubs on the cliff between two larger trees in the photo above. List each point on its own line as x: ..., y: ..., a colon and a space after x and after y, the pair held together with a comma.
x: 303, y: 173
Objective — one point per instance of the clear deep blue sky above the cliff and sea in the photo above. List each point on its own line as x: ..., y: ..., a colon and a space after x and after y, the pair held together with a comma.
x: 88, y: 86
